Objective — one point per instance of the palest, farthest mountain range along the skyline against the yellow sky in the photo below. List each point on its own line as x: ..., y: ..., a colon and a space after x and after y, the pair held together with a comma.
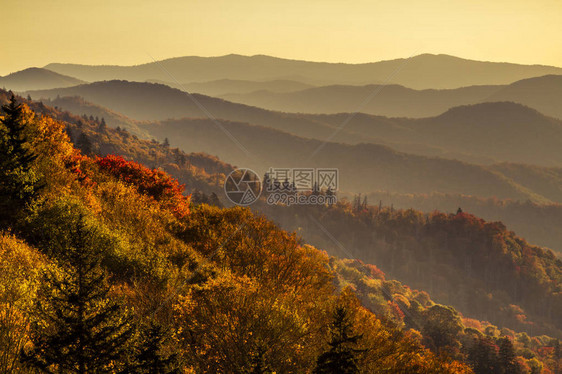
x: 419, y: 72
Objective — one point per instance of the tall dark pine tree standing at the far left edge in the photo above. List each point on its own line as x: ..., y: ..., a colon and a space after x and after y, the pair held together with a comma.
x: 19, y: 183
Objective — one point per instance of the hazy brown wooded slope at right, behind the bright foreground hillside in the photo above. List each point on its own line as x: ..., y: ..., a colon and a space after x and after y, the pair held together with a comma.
x: 479, y: 267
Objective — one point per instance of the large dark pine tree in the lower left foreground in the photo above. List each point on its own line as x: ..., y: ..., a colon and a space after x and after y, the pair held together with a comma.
x: 78, y: 327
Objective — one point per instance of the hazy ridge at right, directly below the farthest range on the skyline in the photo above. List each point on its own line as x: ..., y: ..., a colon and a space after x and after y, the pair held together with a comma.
x: 542, y: 93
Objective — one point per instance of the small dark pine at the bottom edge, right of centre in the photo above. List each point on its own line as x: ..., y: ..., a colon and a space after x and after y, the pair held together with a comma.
x: 342, y: 357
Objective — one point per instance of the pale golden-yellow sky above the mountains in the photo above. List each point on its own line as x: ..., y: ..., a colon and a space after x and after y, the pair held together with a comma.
x: 126, y: 32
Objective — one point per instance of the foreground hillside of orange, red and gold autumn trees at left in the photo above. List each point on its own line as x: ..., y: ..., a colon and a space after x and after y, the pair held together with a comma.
x: 101, y: 251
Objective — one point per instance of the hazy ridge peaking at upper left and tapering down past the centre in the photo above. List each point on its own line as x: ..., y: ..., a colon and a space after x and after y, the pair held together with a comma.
x: 153, y: 102
